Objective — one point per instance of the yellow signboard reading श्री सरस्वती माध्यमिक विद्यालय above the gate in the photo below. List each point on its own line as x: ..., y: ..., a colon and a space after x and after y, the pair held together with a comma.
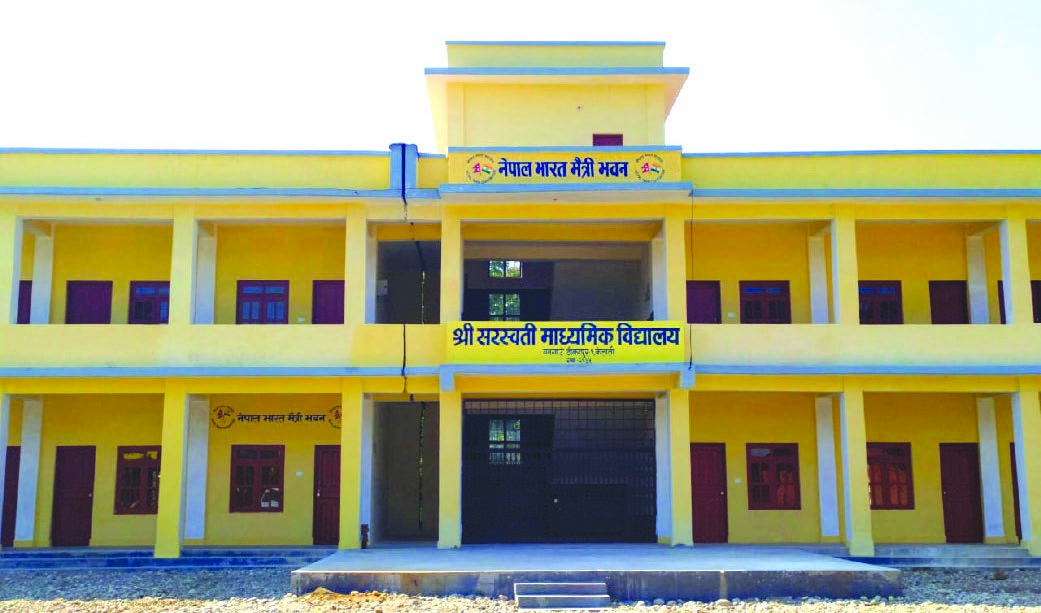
x: 565, y: 343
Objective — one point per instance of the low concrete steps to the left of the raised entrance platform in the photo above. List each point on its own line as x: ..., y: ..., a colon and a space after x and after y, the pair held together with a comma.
x: 142, y: 559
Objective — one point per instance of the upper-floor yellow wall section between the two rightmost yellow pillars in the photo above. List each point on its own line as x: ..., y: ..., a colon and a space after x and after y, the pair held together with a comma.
x: 913, y: 254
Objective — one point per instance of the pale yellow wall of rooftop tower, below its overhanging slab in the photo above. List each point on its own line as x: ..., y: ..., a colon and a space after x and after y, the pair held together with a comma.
x: 565, y: 116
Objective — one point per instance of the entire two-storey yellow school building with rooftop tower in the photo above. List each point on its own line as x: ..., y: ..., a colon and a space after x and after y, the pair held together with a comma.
x: 557, y: 328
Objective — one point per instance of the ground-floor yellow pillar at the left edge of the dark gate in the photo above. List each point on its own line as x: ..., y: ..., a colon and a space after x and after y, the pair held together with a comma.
x: 450, y: 472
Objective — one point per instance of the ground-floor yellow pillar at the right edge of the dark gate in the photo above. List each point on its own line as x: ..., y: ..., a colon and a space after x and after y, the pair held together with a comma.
x: 679, y: 446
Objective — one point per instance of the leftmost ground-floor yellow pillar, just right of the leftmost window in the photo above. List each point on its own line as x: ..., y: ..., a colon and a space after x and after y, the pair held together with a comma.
x: 170, y: 521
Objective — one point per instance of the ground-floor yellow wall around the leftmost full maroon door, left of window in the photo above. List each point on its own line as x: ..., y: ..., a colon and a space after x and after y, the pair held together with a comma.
x: 107, y: 422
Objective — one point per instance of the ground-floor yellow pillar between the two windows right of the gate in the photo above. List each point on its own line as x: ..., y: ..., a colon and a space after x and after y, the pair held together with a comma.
x: 855, y: 487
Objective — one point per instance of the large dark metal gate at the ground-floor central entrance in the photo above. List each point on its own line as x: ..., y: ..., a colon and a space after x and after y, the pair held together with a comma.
x: 558, y: 471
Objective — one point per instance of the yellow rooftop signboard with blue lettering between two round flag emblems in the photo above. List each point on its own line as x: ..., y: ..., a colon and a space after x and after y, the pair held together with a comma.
x: 564, y: 167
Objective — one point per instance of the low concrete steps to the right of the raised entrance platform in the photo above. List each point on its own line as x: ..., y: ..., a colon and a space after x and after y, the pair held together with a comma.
x: 952, y: 557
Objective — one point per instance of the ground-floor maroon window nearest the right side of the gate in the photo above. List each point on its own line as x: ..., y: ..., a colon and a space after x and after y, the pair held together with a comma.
x: 773, y: 476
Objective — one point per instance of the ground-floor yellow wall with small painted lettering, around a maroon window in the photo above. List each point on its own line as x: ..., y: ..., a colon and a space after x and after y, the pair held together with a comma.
x: 293, y: 526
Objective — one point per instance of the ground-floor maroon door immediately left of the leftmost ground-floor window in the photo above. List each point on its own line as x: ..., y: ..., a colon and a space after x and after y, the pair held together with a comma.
x: 73, y: 497
